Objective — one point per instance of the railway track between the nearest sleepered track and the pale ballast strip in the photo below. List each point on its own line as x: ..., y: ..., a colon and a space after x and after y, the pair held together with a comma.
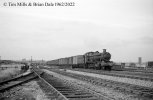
x: 139, y: 91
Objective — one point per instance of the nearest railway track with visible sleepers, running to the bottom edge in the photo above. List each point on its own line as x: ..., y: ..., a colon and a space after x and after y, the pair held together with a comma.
x: 61, y: 89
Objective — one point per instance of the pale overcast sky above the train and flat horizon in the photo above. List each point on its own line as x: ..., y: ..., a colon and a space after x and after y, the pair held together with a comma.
x: 123, y: 27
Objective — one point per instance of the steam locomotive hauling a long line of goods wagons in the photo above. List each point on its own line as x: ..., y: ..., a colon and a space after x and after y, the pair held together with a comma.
x: 94, y: 60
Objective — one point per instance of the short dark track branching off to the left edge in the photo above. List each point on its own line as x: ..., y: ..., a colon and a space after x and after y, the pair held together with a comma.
x: 8, y: 84
